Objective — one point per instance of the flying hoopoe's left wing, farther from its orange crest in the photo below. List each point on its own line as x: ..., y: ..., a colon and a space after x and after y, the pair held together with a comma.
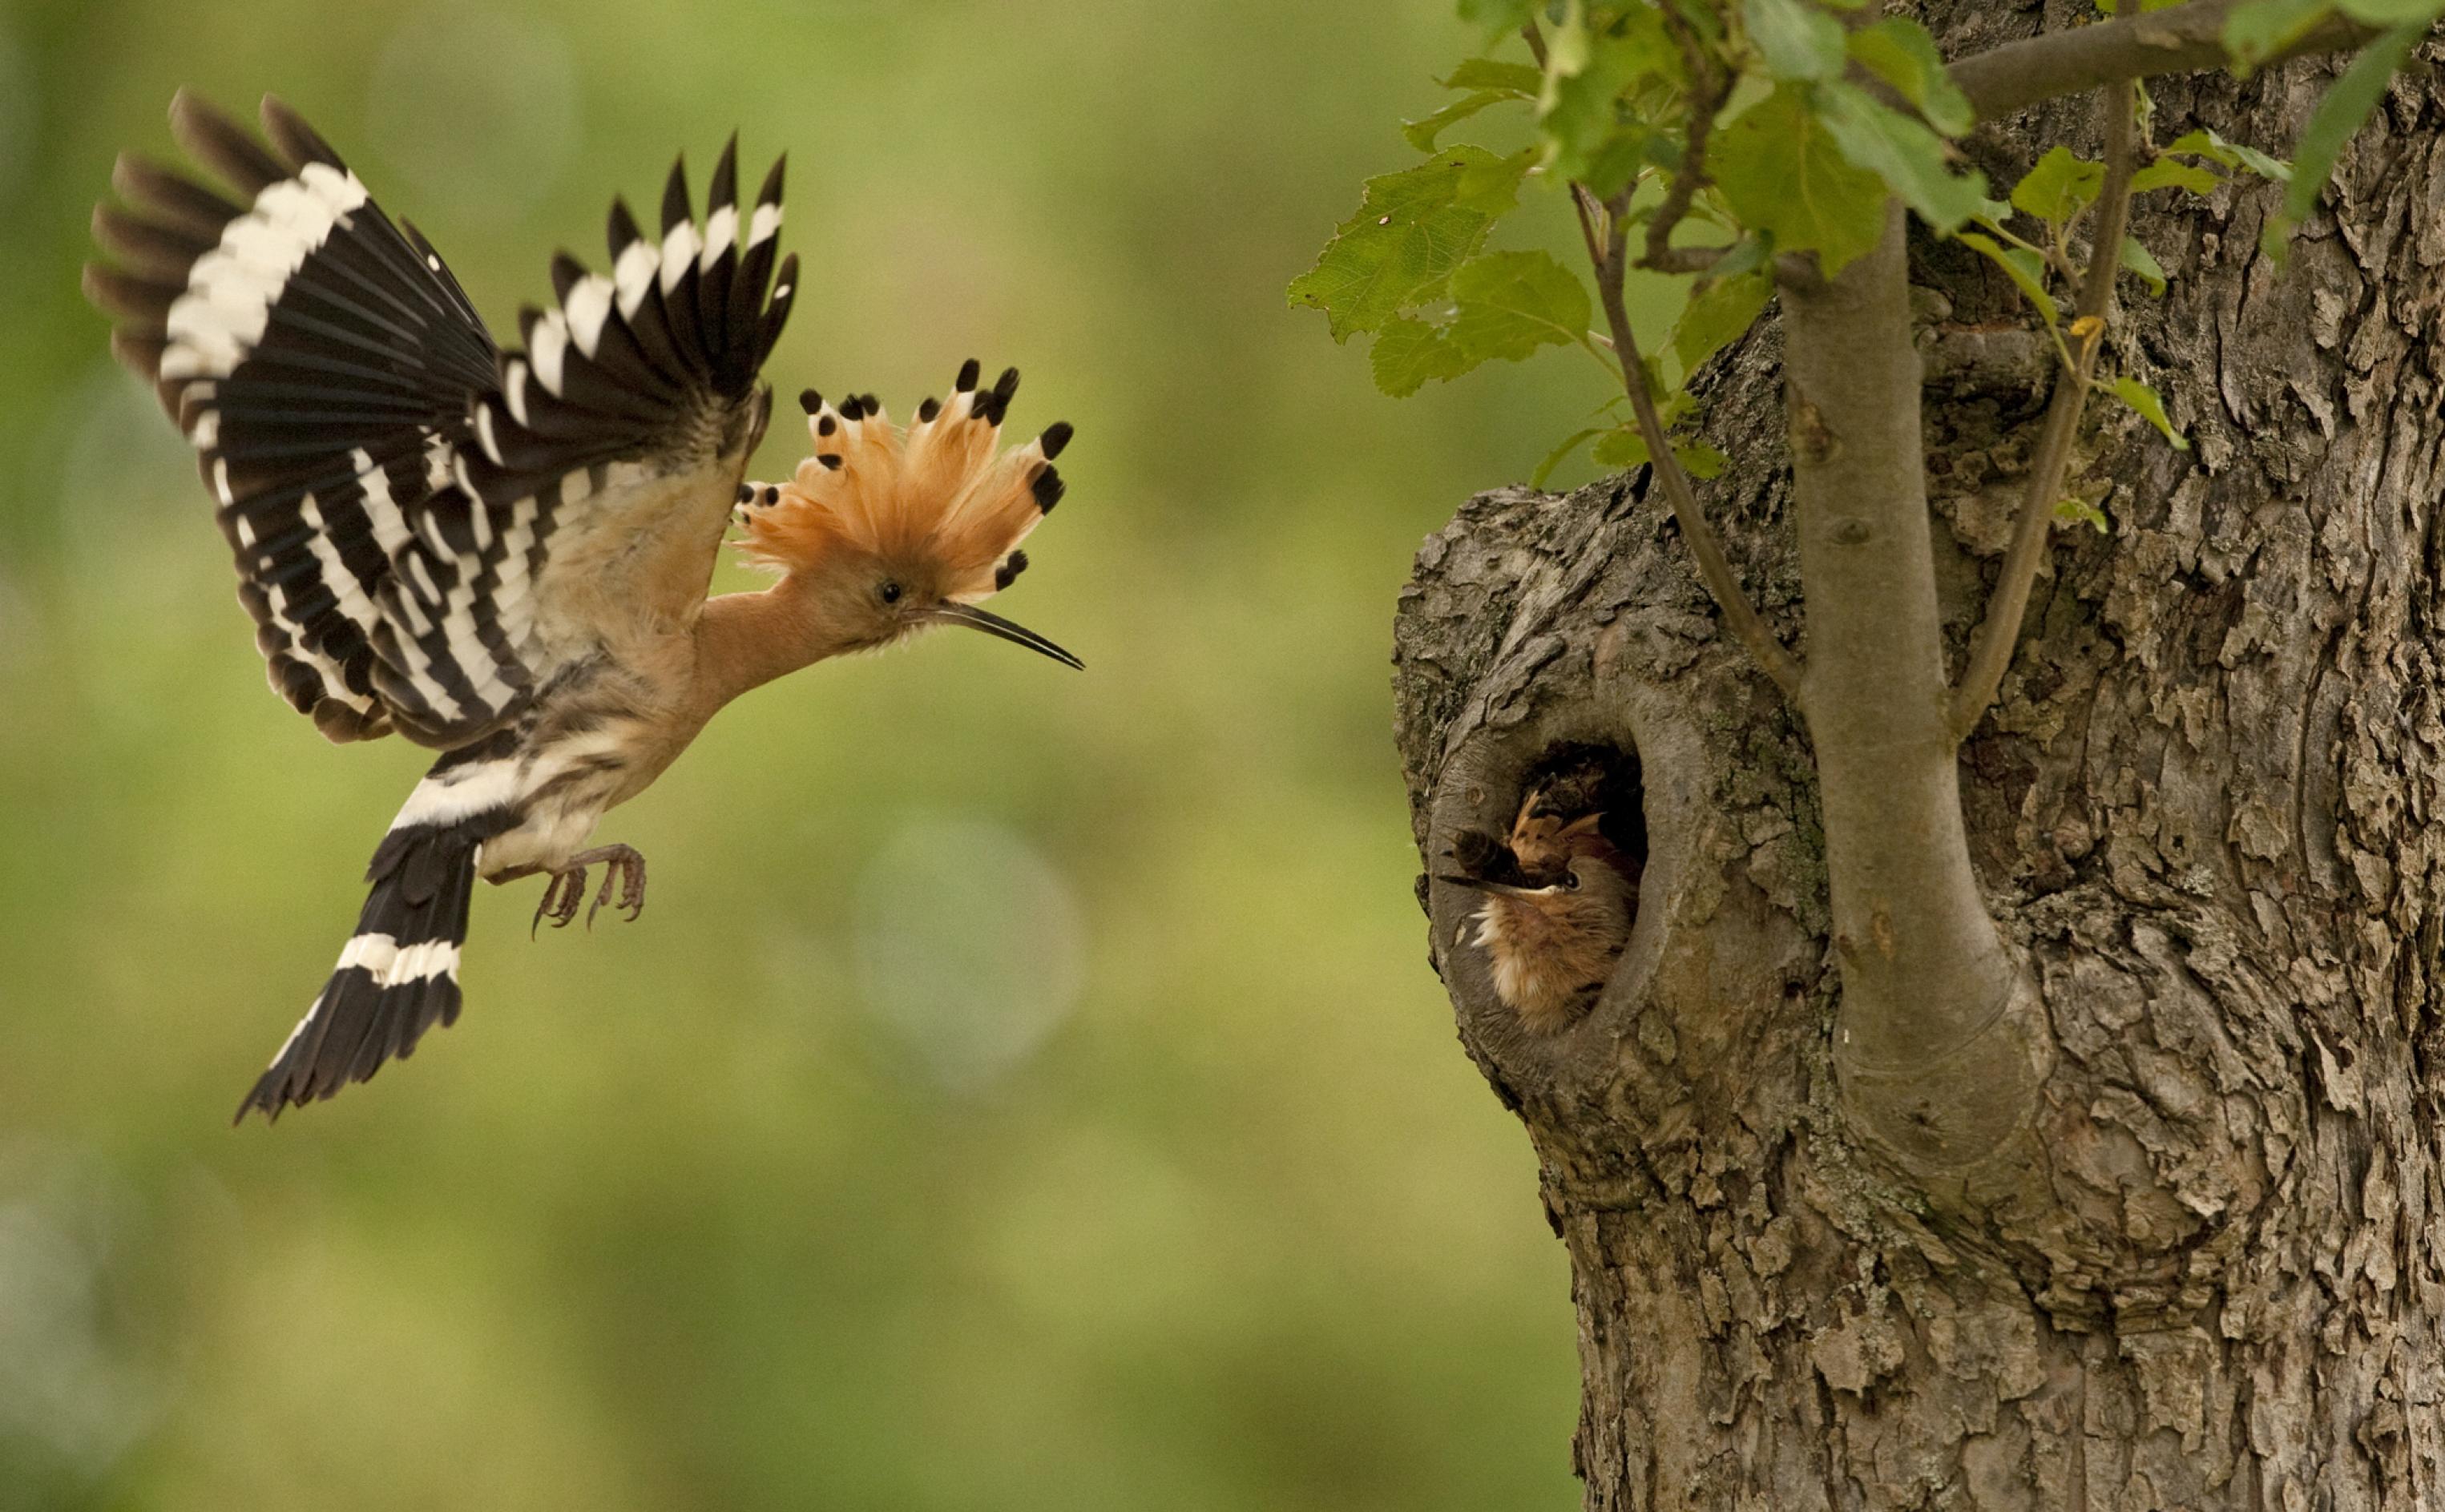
x: 319, y: 358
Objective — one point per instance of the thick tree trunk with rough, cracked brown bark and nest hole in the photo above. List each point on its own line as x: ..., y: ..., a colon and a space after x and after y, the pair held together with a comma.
x: 2204, y: 1271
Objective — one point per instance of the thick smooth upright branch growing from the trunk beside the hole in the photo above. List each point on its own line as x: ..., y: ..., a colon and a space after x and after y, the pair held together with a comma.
x: 1938, y: 1039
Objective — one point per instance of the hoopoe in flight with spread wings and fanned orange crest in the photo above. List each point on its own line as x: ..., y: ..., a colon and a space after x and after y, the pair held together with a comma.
x: 507, y: 557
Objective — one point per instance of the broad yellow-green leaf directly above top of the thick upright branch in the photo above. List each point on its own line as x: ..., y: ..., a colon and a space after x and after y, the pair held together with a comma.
x: 1784, y: 175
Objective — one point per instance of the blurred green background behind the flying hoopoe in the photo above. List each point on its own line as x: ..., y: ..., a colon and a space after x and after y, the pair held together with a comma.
x: 1026, y: 1090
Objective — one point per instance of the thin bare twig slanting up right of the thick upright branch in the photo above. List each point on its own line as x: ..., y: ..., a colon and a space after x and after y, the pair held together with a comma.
x: 1996, y: 637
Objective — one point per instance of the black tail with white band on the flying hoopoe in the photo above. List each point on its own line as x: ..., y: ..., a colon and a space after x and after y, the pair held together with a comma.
x: 397, y: 975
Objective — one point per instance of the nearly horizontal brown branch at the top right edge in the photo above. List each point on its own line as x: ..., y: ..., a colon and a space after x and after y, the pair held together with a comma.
x: 2180, y: 40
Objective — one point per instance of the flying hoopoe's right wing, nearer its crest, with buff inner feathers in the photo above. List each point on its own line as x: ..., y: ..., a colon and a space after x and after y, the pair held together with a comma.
x: 605, y: 464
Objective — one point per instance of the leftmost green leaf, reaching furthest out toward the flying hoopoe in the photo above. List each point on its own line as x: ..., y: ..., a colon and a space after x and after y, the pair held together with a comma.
x: 1410, y: 234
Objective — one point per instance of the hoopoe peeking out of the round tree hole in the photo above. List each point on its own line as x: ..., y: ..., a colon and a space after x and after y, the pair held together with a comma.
x: 1559, y: 904
